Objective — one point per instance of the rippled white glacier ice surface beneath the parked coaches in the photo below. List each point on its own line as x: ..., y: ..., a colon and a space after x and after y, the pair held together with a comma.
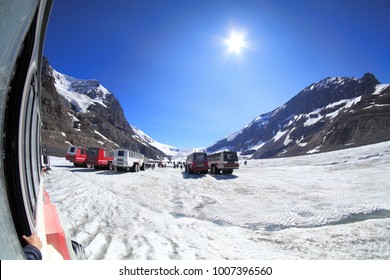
x: 325, y: 206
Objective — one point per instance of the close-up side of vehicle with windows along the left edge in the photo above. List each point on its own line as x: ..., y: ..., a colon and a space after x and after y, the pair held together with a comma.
x: 25, y: 206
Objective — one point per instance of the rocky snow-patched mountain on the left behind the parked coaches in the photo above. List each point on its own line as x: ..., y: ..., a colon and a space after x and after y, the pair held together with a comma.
x: 84, y: 113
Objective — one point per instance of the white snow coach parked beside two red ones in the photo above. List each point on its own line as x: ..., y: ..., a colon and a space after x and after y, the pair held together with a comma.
x: 125, y: 160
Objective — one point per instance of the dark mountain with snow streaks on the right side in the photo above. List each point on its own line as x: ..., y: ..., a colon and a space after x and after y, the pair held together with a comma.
x: 335, y: 113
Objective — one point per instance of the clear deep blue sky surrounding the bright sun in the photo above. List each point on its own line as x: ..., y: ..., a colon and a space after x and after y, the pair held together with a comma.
x: 170, y: 67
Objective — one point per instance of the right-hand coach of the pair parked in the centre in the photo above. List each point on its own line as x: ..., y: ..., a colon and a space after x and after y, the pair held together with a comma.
x: 225, y: 161
